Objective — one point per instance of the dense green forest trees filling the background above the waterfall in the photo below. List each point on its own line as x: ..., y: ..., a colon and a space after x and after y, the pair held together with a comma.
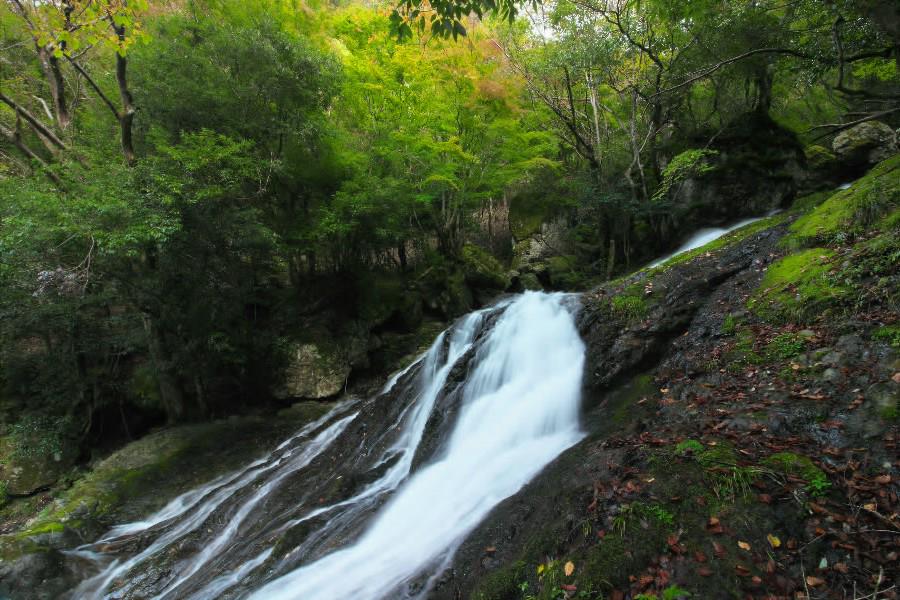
x: 181, y: 182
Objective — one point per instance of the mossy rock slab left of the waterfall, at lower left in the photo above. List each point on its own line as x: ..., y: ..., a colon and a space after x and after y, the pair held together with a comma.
x: 132, y: 483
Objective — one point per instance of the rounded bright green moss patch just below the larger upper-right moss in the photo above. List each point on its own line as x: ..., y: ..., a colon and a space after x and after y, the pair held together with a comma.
x: 797, y: 287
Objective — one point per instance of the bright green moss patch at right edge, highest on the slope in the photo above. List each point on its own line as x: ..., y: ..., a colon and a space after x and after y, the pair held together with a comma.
x: 850, y: 211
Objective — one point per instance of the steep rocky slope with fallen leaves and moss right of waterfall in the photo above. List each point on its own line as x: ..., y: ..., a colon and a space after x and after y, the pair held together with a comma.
x: 743, y: 420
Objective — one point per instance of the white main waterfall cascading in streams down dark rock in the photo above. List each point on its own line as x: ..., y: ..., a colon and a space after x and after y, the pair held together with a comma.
x: 380, y: 492
